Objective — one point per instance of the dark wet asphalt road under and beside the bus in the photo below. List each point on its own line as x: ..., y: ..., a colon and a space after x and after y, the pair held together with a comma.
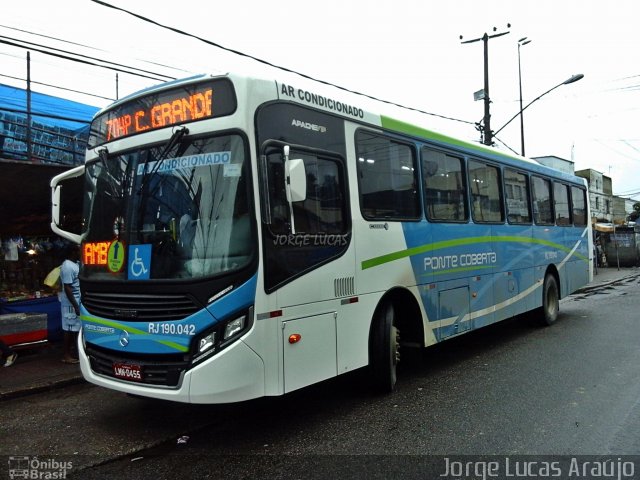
x: 510, y: 389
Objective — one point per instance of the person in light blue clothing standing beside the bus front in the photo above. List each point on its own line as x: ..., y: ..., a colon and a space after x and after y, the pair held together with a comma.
x: 70, y: 303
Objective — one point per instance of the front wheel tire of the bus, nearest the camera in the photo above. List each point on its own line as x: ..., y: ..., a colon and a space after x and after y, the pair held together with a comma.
x: 384, y: 349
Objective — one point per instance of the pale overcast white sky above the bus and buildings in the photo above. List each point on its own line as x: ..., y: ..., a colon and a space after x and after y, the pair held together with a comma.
x: 404, y: 51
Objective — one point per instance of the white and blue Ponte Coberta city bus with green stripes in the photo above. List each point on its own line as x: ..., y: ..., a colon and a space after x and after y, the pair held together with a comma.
x: 246, y: 237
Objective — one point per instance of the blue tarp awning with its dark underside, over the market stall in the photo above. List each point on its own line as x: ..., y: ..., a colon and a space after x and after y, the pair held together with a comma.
x: 59, y: 132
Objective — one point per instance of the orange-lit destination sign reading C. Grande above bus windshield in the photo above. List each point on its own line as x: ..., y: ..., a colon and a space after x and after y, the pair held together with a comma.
x: 163, y: 109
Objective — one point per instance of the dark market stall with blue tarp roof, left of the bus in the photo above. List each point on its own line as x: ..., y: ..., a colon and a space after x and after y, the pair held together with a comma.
x: 40, y: 136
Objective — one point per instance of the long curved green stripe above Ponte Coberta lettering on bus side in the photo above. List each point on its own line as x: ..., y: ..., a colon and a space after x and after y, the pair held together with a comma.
x: 390, y: 257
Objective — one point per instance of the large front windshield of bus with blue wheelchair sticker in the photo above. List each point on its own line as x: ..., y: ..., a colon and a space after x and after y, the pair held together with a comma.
x: 168, y: 213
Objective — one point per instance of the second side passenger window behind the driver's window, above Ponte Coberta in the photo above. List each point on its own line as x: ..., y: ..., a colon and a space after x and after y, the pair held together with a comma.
x: 444, y: 186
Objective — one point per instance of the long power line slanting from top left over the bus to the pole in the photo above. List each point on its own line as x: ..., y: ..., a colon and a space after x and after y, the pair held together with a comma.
x: 265, y: 62
